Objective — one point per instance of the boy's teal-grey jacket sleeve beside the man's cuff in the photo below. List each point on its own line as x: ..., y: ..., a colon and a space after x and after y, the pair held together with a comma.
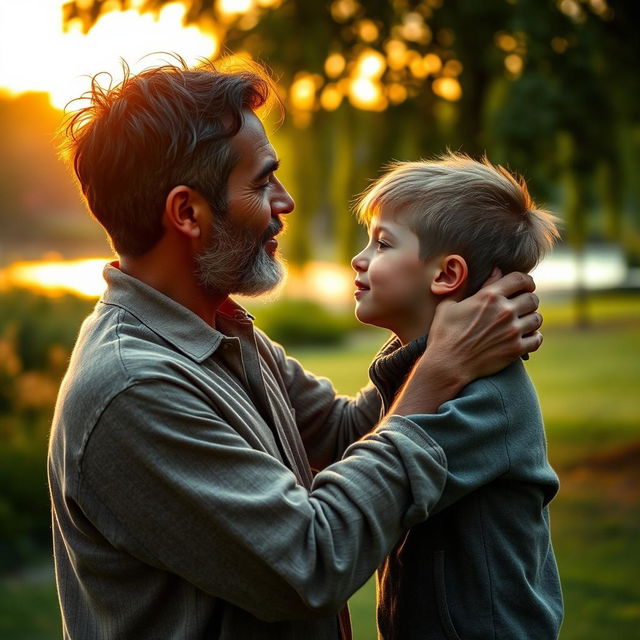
x: 473, y: 431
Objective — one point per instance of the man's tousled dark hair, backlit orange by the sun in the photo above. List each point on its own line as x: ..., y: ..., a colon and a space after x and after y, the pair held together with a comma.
x: 166, y: 126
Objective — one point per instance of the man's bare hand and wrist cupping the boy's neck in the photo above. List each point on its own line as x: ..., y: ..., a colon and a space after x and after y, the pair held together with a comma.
x: 470, y: 339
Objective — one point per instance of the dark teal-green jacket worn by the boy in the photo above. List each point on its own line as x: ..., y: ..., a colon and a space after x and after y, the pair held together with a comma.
x: 482, y: 566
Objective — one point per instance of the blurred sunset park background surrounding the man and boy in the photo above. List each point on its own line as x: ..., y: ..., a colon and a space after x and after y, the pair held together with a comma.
x: 548, y: 88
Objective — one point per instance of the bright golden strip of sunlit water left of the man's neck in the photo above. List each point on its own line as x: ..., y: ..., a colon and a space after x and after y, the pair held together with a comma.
x: 82, y: 277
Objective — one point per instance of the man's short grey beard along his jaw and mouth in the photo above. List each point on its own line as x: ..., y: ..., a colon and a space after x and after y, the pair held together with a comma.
x: 236, y: 262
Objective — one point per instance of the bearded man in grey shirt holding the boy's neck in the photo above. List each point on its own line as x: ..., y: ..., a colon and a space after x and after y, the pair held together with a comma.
x: 181, y: 456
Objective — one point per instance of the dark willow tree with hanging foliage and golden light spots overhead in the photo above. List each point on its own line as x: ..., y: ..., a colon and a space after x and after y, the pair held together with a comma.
x: 382, y: 79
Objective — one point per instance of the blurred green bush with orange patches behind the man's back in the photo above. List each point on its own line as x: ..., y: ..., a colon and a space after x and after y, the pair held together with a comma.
x: 37, y: 333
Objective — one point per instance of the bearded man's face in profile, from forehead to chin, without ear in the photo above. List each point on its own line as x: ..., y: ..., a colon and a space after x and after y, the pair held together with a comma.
x: 242, y: 251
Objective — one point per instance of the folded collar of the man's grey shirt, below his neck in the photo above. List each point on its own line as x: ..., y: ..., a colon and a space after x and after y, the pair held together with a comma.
x: 176, y: 324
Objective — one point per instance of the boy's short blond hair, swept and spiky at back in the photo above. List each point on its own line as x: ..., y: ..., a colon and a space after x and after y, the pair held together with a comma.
x: 456, y: 204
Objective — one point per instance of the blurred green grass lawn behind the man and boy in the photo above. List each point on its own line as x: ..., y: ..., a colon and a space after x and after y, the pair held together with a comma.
x: 588, y: 386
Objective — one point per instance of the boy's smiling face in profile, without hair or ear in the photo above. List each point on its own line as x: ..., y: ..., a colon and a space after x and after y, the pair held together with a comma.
x: 393, y: 282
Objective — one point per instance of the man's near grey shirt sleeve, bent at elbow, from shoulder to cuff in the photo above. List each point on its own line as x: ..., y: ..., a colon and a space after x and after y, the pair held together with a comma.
x: 169, y: 482
